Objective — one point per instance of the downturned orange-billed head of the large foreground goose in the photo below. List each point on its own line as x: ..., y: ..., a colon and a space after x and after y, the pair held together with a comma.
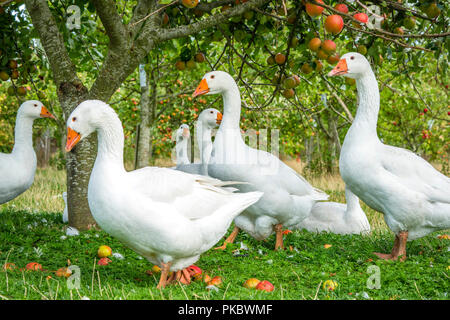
x: 84, y: 120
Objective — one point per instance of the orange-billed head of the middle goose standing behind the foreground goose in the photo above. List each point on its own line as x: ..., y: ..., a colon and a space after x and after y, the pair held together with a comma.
x: 214, y: 82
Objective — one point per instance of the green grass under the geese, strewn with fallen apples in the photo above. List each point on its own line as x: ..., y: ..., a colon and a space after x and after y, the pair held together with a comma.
x: 36, y: 234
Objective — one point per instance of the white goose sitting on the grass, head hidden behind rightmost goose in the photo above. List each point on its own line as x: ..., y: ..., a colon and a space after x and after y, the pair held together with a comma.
x: 337, y: 218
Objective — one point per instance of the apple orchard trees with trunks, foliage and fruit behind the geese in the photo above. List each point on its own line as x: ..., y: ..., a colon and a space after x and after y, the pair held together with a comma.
x: 63, y: 52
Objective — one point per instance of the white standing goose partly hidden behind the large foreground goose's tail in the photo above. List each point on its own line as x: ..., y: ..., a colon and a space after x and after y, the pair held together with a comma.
x: 288, y: 197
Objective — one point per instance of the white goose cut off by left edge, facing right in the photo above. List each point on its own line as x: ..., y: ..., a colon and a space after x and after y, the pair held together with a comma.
x: 18, y: 167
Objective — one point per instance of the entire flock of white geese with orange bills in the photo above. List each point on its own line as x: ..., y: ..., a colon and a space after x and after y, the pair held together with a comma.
x: 171, y: 217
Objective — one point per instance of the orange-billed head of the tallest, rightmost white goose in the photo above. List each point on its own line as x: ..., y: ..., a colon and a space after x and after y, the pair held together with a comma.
x: 351, y: 65
